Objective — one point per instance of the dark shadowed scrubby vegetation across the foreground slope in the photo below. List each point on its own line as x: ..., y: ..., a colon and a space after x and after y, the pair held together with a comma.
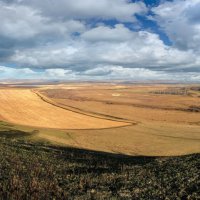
x: 38, y: 170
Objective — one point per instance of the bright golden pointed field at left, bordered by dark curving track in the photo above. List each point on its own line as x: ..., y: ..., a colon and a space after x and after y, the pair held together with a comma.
x: 26, y: 108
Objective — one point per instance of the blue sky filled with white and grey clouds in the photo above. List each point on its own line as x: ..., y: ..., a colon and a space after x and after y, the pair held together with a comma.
x: 100, y: 40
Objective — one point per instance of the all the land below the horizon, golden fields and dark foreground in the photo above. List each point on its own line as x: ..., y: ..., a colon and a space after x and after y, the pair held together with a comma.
x: 99, y: 141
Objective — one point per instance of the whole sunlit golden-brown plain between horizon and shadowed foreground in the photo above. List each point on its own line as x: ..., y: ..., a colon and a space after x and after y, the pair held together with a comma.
x: 151, y: 119
